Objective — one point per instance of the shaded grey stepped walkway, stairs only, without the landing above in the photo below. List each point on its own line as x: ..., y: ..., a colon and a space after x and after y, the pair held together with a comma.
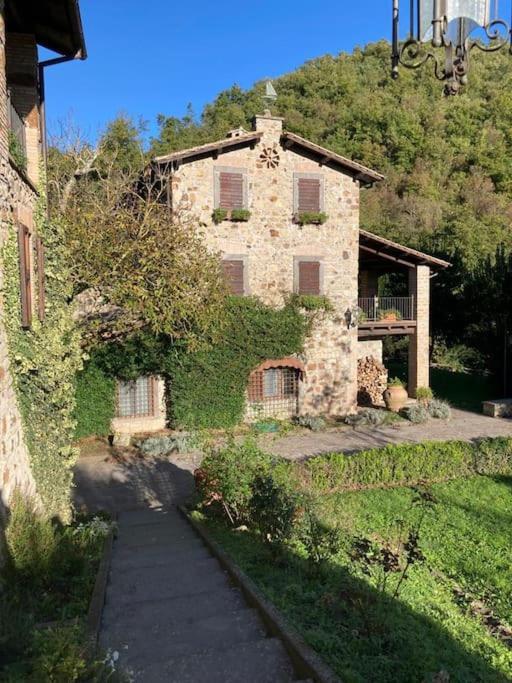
x: 172, y: 614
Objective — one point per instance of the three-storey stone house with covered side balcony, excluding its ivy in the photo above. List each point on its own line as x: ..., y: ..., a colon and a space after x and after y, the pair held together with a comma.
x: 284, y: 214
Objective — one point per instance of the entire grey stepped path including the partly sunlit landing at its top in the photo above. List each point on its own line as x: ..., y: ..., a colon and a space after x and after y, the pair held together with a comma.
x: 170, y: 610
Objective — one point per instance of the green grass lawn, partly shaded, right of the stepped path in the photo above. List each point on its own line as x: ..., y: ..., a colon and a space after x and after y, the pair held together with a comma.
x: 366, y: 635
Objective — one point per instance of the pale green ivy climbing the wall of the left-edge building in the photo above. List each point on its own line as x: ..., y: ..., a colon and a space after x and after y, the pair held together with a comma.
x: 44, y: 361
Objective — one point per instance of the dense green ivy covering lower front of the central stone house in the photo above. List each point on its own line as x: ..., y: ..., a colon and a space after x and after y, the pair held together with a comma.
x: 206, y: 387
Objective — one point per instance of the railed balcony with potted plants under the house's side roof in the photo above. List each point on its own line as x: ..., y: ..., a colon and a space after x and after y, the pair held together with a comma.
x: 379, y: 316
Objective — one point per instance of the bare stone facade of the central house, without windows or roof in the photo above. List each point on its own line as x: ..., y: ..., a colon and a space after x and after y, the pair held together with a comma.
x: 271, y: 240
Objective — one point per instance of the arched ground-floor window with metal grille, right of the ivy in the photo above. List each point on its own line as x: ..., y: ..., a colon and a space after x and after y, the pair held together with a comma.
x: 274, y: 392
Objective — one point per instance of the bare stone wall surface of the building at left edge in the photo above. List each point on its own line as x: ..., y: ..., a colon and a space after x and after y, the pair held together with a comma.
x: 16, y: 197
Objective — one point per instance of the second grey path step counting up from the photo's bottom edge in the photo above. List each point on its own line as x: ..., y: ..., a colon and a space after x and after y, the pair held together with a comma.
x: 162, y: 641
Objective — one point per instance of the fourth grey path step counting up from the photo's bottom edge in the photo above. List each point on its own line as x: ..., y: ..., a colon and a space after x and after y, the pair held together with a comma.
x: 150, y: 584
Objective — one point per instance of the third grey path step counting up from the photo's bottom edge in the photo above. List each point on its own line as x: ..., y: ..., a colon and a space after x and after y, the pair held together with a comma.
x: 183, y: 609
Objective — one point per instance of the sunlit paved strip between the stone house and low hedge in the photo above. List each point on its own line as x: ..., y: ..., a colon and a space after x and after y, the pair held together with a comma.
x: 463, y: 425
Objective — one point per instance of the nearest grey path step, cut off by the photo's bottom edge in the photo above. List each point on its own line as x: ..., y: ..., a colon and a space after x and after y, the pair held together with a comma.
x: 259, y: 661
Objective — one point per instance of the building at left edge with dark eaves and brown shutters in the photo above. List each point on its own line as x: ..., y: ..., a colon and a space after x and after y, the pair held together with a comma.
x: 25, y: 25
